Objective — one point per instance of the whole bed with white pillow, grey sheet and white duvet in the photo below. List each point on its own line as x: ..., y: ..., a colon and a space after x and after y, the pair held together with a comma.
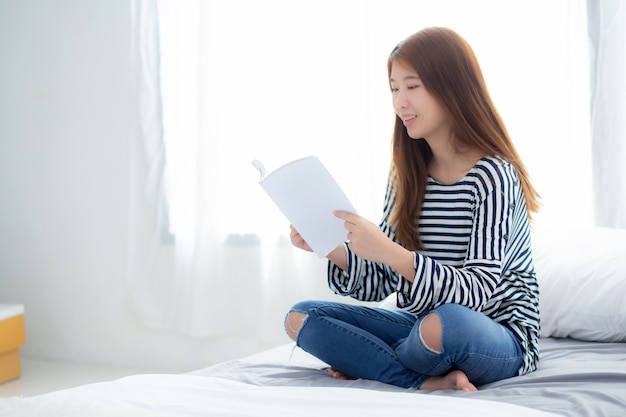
x: 582, y: 370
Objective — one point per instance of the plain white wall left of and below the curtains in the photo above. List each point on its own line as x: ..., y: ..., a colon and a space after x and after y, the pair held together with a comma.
x: 64, y: 174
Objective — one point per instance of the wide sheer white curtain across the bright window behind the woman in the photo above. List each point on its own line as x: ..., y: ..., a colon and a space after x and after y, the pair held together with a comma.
x: 280, y: 79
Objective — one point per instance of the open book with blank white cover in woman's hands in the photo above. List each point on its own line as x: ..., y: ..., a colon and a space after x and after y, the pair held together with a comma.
x: 307, y: 195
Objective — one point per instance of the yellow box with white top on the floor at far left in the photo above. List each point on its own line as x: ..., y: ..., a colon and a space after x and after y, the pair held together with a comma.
x: 12, y: 336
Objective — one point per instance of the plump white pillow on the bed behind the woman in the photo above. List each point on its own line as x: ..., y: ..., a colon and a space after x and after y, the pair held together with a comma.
x: 582, y: 283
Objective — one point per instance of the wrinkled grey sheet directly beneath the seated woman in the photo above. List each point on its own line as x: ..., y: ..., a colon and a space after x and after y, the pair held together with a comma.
x: 574, y: 379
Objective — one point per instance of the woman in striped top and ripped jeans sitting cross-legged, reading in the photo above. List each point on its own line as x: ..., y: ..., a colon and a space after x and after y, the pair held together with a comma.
x: 454, y: 241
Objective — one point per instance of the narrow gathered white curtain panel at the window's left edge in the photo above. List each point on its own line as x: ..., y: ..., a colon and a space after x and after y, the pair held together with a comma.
x: 148, y: 217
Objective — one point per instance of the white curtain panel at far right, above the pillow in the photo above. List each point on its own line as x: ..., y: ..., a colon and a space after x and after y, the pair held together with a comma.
x: 607, y: 34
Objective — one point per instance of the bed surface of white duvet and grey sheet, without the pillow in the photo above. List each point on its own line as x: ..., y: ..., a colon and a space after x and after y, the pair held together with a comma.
x: 575, y: 378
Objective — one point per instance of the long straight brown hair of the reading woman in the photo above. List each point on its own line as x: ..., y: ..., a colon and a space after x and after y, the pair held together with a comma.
x: 449, y: 70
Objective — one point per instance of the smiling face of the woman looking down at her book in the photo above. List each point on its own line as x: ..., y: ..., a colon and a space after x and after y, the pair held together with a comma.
x: 422, y: 115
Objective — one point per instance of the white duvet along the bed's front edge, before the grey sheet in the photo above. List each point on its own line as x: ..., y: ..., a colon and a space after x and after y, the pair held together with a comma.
x: 196, y: 395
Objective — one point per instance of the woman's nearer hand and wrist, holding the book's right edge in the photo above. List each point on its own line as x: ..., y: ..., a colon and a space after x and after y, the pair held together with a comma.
x: 366, y: 239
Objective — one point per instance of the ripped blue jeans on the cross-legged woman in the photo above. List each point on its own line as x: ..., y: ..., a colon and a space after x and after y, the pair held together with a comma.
x: 386, y: 346
